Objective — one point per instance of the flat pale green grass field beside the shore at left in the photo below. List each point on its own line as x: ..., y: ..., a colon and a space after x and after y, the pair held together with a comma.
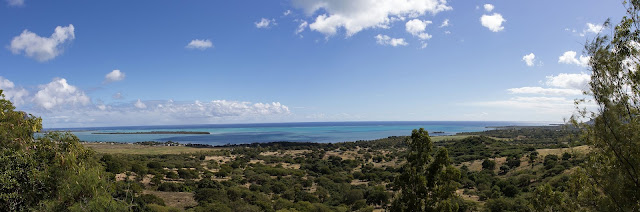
x: 106, y: 148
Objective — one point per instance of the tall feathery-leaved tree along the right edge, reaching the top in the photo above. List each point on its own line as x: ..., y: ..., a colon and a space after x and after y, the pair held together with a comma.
x: 614, y: 129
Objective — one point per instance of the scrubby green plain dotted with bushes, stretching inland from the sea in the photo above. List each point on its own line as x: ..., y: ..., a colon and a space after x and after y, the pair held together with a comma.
x: 499, y: 168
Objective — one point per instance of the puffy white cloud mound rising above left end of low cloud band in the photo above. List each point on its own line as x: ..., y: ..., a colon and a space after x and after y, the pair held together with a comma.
x: 58, y: 93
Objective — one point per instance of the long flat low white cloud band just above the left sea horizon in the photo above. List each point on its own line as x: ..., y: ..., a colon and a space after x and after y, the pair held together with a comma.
x: 167, y: 112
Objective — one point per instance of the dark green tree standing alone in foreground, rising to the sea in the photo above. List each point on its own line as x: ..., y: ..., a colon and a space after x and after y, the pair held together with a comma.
x: 427, y: 183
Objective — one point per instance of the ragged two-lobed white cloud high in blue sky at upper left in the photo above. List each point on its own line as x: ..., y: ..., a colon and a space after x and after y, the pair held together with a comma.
x: 42, y: 48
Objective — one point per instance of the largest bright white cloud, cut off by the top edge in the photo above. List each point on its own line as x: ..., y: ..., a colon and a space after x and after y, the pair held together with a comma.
x: 357, y: 15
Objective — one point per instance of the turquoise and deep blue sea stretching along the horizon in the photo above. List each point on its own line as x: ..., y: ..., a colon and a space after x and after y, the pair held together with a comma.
x: 320, y: 132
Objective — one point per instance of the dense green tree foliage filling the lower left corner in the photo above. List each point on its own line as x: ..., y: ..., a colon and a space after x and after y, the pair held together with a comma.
x: 53, y: 172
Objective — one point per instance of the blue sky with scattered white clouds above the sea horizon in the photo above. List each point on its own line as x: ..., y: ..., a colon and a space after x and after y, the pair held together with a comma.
x: 123, y: 63
